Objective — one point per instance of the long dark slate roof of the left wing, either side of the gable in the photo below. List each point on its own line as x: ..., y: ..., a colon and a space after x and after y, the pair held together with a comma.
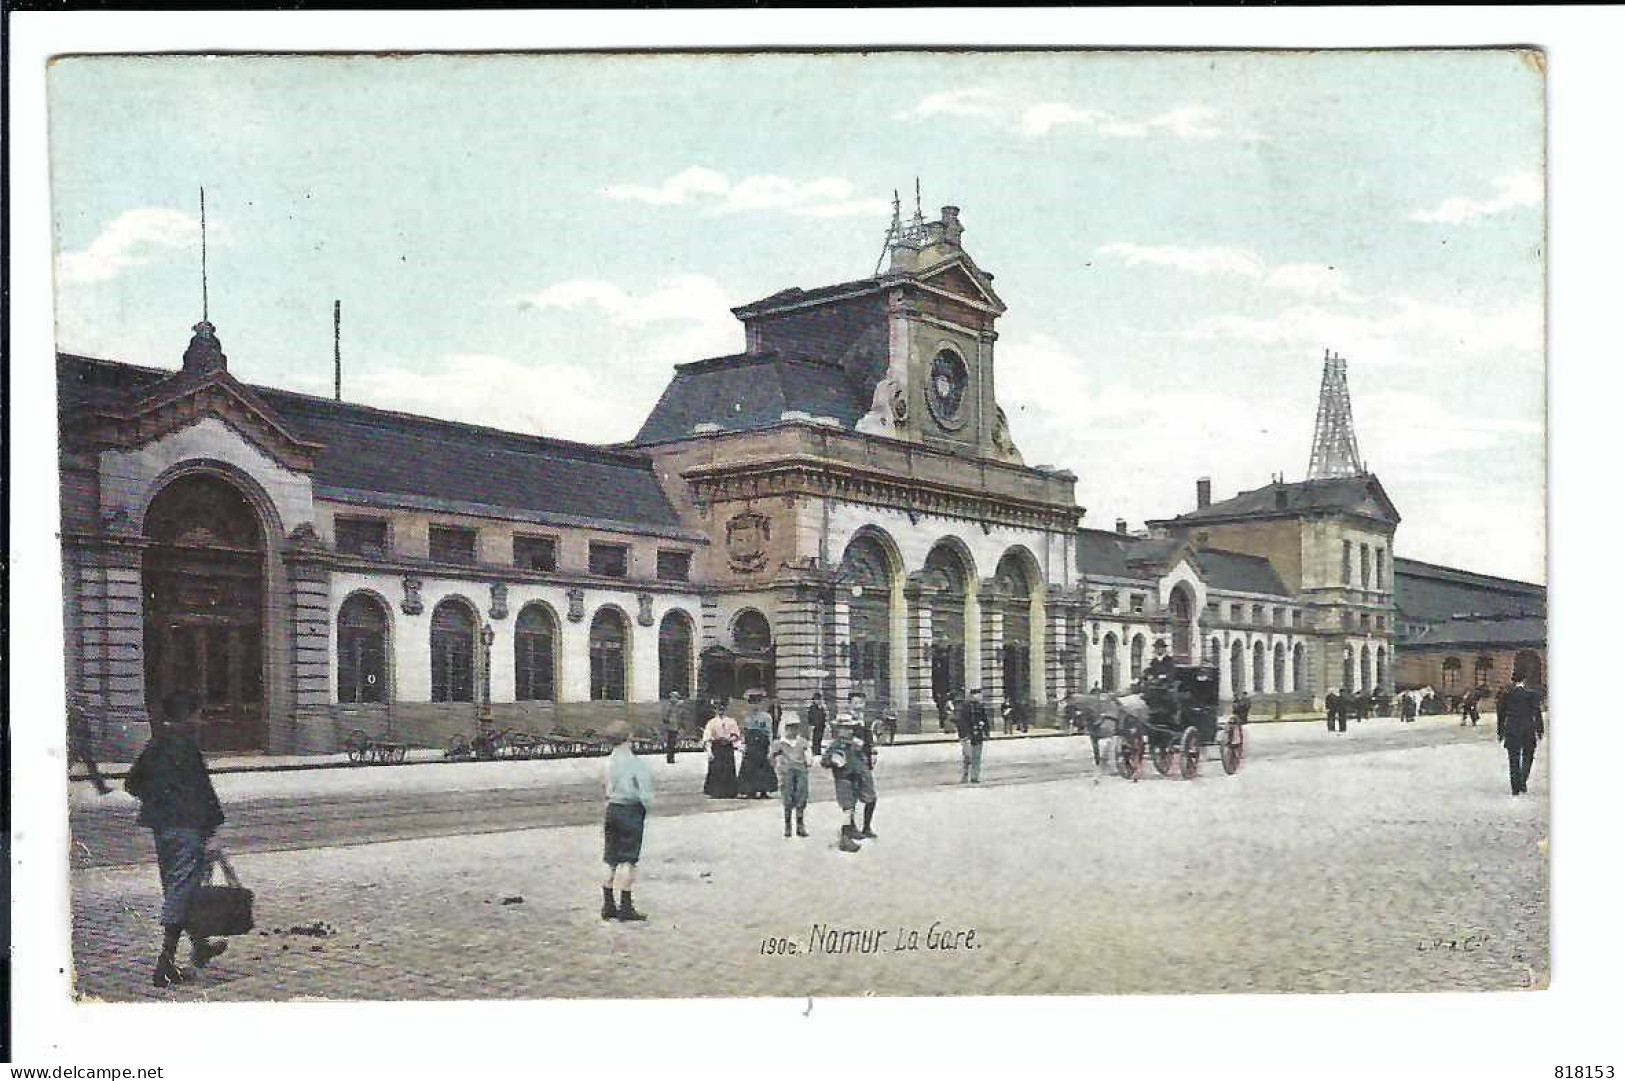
x: 401, y: 454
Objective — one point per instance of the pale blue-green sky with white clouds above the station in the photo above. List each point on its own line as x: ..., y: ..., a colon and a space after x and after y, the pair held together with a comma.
x: 532, y: 243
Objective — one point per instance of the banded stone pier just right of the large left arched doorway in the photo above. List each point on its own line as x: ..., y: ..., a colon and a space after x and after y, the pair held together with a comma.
x: 313, y: 727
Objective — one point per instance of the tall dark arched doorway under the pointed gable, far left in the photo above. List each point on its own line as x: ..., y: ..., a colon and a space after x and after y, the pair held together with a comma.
x: 204, y: 620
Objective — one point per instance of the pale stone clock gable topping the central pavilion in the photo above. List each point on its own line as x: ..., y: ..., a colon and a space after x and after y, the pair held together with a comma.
x: 940, y: 318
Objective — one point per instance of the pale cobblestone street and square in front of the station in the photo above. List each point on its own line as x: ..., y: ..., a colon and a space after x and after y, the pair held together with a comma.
x: 1390, y: 859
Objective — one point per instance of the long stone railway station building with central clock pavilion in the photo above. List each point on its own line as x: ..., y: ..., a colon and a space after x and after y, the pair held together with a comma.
x: 839, y: 508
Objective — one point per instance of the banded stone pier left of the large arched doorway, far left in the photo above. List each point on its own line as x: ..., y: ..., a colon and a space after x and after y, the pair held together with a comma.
x: 110, y: 638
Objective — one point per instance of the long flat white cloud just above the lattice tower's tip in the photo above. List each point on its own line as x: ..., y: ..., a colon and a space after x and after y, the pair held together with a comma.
x: 1406, y: 332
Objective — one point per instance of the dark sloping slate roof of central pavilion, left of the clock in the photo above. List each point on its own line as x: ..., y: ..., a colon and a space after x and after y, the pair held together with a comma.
x: 750, y: 391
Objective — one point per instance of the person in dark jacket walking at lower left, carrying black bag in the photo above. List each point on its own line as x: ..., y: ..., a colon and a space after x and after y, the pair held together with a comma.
x: 181, y: 809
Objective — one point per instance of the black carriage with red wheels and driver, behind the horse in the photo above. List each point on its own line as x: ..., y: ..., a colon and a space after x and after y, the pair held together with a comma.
x: 1174, y: 719
